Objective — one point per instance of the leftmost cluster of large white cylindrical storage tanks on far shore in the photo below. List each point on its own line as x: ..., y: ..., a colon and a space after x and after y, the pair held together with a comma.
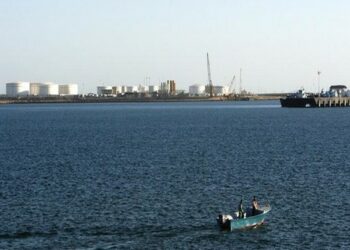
x: 15, y: 89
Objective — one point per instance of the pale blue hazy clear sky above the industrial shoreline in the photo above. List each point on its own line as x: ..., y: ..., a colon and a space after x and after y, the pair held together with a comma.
x: 280, y: 45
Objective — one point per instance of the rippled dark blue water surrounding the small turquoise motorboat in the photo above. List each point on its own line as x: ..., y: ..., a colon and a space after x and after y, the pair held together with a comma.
x: 140, y: 176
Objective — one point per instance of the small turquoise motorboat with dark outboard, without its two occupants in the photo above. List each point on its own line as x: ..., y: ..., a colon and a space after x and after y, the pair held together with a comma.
x: 228, y: 222
